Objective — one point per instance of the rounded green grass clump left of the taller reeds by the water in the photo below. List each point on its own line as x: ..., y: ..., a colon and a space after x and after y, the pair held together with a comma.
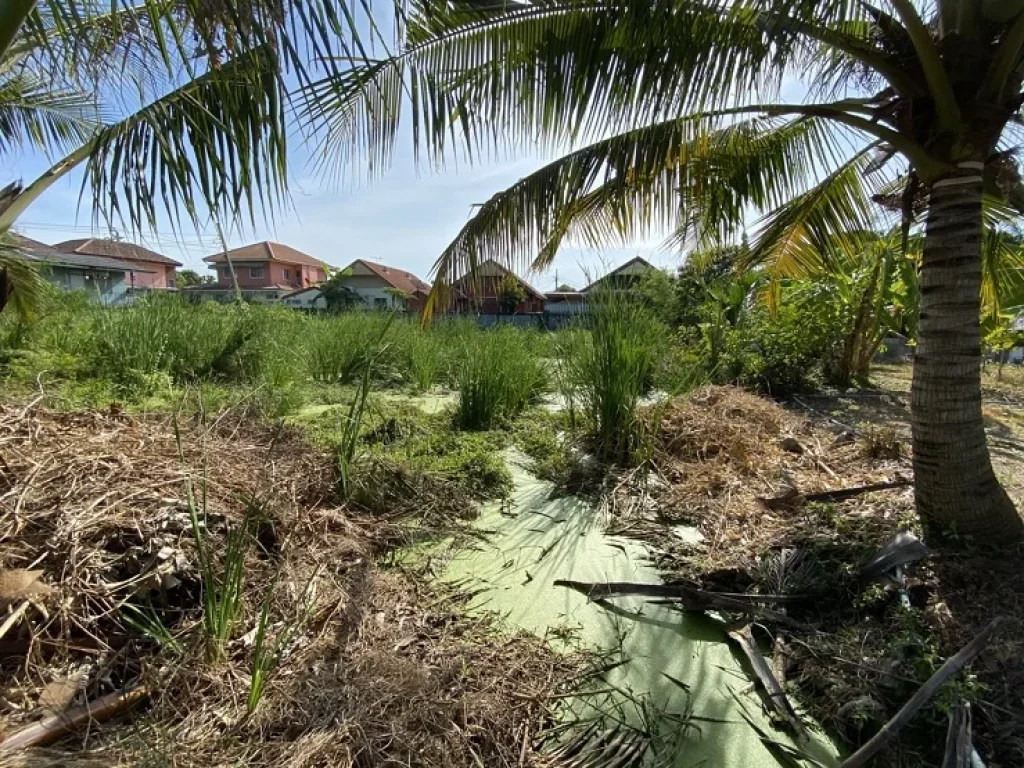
x: 498, y: 375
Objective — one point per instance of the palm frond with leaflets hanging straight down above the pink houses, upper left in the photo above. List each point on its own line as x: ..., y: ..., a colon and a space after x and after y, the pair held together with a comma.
x: 217, y: 146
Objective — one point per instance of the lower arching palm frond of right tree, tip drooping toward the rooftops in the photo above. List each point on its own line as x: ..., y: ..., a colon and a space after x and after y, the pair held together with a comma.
x: 632, y: 185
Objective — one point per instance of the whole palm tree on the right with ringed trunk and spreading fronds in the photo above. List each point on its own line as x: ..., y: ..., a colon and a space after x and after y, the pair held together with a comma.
x: 671, y: 114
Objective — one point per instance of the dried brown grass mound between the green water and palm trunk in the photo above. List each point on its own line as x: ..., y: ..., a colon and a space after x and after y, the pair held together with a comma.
x: 721, y: 450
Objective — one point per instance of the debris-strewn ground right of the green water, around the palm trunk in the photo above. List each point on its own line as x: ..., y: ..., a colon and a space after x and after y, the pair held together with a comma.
x: 742, y: 468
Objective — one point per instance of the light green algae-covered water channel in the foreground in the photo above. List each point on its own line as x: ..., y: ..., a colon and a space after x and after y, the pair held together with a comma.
x: 536, y: 541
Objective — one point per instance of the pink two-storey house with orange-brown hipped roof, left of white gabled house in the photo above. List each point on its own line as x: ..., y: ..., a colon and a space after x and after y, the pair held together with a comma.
x: 266, y: 272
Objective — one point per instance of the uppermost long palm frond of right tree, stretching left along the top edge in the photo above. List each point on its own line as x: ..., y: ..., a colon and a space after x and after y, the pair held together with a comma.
x: 560, y: 71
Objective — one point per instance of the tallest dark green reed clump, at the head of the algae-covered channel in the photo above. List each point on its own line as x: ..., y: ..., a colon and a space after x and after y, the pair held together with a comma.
x: 609, y: 370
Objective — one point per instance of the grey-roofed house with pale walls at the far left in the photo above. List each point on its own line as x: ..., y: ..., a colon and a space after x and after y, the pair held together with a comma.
x: 107, y: 281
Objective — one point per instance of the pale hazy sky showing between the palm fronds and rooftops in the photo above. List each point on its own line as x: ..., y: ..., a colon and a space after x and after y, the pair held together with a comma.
x: 405, y: 219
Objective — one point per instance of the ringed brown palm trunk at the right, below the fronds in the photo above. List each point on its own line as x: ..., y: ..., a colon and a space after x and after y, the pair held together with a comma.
x: 954, y: 480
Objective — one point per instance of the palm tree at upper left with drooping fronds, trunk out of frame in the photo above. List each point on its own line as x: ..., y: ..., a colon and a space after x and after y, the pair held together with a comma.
x: 175, y: 107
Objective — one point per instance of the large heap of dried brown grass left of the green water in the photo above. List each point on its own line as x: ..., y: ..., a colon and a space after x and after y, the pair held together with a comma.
x: 386, y: 671
